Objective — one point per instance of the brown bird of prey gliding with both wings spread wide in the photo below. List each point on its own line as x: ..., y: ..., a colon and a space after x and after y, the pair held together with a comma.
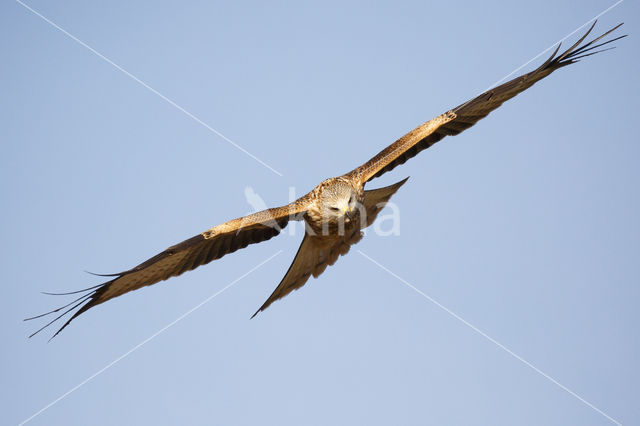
x: 334, y: 212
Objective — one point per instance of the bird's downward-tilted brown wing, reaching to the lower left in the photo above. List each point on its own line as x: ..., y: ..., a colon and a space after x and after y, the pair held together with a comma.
x: 185, y: 256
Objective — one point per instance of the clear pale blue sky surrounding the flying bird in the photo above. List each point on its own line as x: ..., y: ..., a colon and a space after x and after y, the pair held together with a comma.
x: 525, y: 226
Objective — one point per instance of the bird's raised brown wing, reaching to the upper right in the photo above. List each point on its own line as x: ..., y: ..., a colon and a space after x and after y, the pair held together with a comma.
x: 469, y: 113
